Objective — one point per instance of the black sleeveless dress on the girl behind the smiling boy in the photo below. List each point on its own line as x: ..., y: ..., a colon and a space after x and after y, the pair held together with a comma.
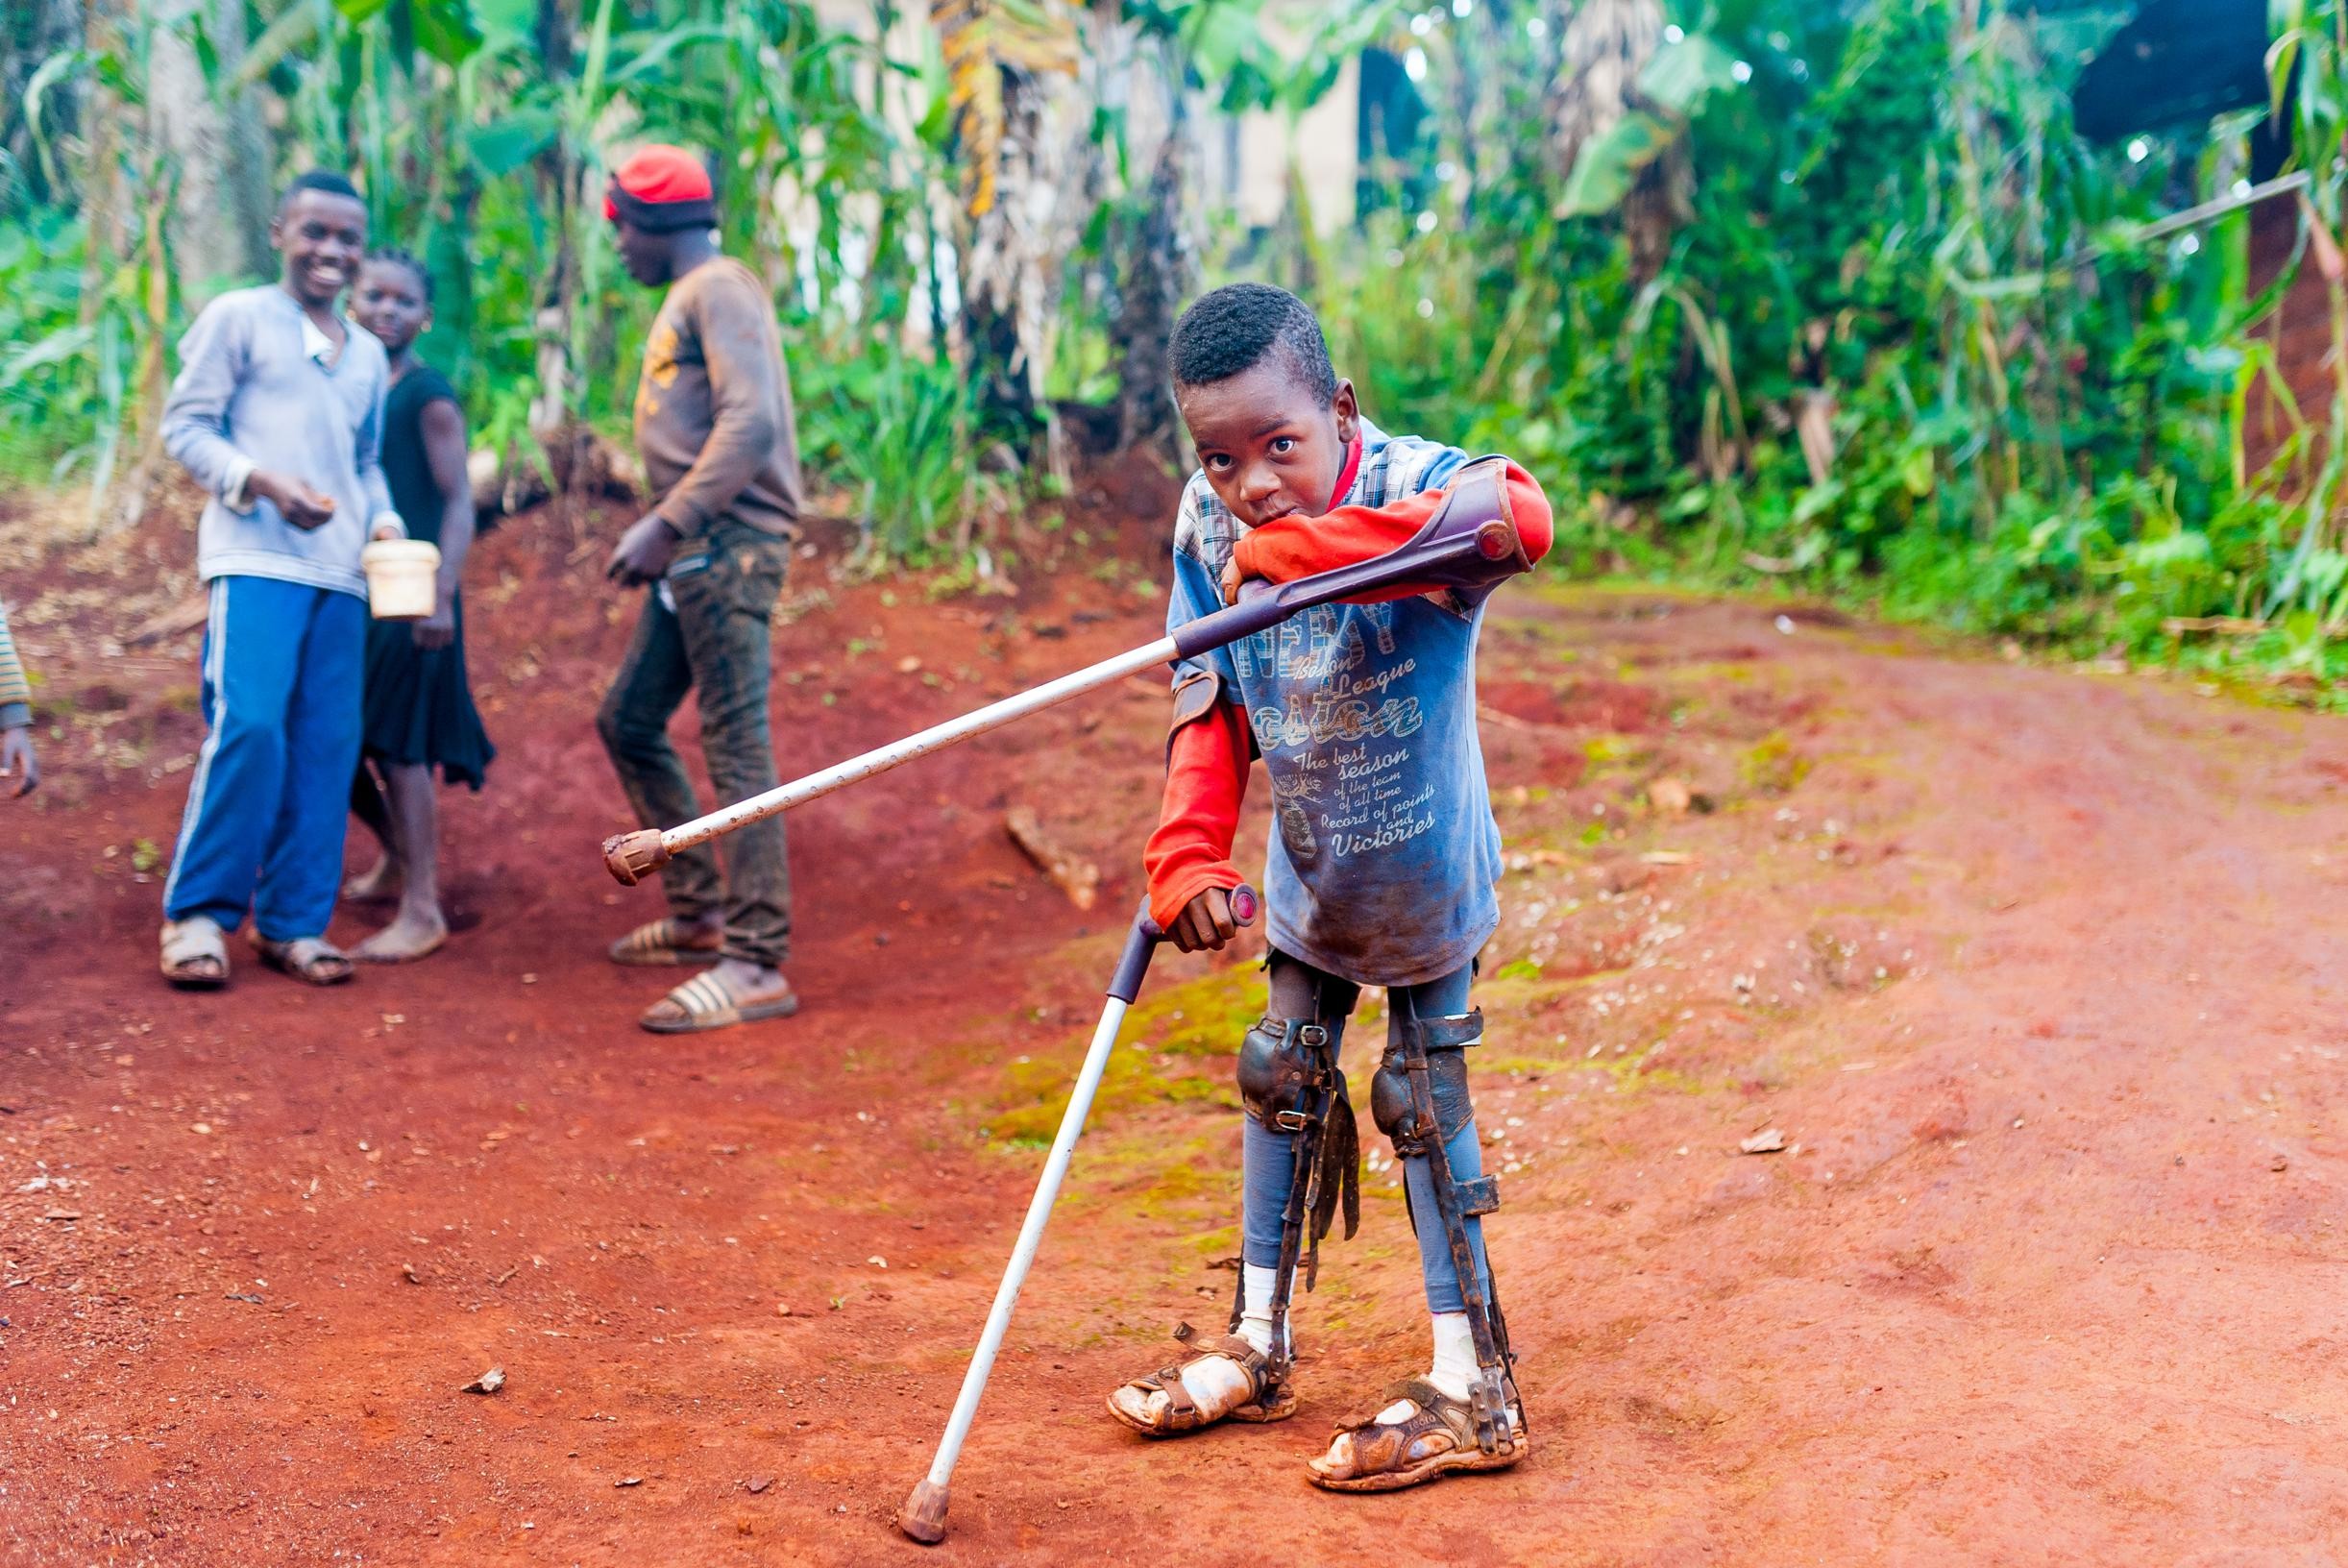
x: 419, y: 708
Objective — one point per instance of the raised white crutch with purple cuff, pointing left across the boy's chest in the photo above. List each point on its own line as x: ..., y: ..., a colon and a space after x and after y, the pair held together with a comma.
x: 1471, y: 543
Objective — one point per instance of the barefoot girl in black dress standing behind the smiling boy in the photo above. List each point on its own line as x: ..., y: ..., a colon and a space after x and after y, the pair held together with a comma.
x: 419, y: 708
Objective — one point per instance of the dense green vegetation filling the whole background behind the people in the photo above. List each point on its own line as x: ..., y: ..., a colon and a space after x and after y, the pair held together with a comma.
x: 1816, y: 297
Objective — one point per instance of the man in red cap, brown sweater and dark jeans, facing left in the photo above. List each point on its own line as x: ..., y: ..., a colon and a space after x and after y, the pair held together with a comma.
x: 722, y: 459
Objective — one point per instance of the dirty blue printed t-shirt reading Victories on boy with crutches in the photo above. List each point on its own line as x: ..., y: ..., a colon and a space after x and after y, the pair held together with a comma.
x: 1384, y: 849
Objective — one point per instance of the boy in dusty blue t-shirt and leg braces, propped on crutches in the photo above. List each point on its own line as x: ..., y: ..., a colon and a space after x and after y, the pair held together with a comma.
x: 1382, y: 874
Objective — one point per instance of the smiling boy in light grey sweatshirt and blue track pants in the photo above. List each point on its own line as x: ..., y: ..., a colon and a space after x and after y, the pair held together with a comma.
x: 278, y: 414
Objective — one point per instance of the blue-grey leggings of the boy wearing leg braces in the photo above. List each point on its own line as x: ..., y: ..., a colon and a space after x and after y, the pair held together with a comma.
x: 1302, y: 992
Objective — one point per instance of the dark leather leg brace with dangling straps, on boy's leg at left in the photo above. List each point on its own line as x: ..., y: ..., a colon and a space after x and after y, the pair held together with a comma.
x: 1290, y: 1083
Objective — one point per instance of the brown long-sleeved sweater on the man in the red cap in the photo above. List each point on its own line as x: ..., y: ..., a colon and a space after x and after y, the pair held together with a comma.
x: 715, y: 405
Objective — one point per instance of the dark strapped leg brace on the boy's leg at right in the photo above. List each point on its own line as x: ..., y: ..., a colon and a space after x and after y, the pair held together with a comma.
x: 1419, y: 1100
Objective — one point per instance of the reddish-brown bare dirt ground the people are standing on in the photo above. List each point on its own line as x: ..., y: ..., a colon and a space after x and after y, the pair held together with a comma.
x: 2037, y: 973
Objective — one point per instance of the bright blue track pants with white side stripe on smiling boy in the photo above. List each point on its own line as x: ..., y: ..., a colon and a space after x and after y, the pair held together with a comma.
x: 271, y: 792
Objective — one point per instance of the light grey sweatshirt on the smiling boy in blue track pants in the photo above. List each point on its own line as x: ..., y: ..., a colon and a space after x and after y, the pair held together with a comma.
x: 257, y: 393
